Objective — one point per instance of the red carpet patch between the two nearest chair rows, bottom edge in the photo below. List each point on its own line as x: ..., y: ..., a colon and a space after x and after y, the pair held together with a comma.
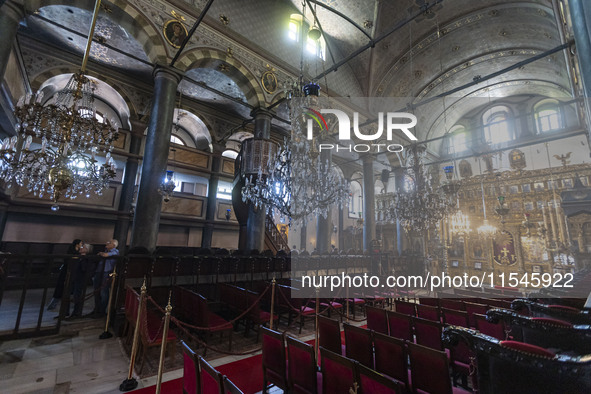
x: 247, y: 373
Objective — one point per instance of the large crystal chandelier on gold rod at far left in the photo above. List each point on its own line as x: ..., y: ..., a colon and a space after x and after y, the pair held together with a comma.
x: 55, y: 146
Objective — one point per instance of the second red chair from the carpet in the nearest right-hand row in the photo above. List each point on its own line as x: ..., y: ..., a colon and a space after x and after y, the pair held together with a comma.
x: 303, y: 374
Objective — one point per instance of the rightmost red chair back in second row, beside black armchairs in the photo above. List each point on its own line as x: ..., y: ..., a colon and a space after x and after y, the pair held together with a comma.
x: 429, y: 370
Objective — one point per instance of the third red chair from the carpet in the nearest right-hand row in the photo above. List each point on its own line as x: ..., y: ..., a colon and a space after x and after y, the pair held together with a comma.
x: 338, y: 372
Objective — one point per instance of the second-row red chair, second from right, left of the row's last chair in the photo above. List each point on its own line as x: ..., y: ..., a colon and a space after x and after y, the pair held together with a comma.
x: 391, y: 357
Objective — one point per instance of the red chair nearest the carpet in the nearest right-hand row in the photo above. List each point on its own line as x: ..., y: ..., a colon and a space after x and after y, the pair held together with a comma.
x: 274, y: 364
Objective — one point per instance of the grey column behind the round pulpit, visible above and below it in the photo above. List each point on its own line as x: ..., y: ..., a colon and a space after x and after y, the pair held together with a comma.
x: 255, y: 236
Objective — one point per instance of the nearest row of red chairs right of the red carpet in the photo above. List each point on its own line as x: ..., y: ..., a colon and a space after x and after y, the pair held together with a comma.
x: 291, y: 365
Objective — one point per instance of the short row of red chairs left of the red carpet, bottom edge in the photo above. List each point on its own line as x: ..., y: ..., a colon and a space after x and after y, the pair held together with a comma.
x: 199, y: 377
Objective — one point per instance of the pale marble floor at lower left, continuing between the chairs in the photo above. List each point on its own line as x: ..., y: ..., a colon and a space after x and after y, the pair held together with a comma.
x: 75, y: 361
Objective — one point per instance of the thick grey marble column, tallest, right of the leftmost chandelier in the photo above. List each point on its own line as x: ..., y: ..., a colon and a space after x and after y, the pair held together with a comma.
x: 149, y: 201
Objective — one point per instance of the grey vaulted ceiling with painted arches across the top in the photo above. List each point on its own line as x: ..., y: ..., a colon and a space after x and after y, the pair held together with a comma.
x: 412, y: 53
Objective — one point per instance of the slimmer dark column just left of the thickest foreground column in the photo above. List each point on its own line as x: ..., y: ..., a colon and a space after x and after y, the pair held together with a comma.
x: 128, y: 188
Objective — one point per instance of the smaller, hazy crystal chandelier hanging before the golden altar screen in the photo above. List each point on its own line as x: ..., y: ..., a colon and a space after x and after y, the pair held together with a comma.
x: 420, y: 208
